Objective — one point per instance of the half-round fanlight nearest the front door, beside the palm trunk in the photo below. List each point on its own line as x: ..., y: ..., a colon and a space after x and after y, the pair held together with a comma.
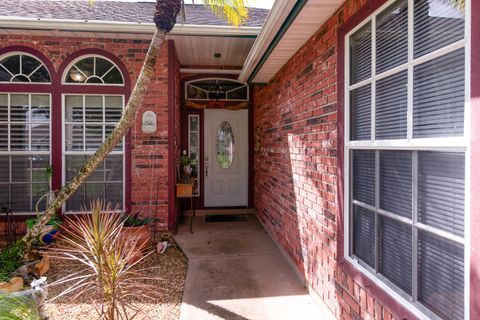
x: 94, y: 70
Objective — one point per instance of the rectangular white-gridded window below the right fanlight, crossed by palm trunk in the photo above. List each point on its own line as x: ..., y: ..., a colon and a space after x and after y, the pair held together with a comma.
x: 88, y: 120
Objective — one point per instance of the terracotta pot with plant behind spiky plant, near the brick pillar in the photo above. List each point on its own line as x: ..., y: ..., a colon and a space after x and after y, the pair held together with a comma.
x: 136, y: 232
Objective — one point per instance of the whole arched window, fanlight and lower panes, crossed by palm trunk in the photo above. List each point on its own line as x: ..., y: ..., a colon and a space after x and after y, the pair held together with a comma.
x: 88, y: 119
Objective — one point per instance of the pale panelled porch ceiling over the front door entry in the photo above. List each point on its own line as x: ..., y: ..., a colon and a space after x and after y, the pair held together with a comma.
x: 199, y: 50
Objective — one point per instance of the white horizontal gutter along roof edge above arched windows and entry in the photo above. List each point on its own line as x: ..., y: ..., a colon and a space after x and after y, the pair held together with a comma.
x: 9, y: 22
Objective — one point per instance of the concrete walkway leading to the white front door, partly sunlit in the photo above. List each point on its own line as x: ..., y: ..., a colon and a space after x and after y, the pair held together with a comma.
x: 235, y: 272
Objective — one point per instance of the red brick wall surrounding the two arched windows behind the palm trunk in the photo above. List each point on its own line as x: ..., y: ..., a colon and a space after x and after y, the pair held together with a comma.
x: 149, y: 151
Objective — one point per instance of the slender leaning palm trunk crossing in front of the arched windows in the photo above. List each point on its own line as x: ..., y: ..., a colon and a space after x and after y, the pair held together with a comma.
x: 125, y: 122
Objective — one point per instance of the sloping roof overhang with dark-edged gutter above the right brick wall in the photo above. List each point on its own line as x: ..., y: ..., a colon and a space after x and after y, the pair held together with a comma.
x: 288, y: 26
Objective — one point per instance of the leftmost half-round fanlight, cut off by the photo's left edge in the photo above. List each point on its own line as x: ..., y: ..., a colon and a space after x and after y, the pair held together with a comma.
x: 20, y: 67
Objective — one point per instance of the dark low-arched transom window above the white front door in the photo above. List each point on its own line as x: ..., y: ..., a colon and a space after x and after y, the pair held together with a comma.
x: 216, y: 89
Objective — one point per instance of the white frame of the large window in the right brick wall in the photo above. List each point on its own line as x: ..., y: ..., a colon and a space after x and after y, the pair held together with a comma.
x: 453, y: 144
